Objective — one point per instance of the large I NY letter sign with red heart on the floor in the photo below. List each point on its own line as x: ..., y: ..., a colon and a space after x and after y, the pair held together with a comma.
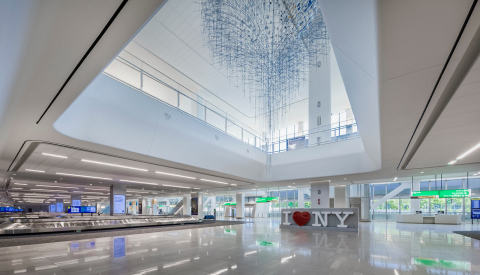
x: 341, y: 219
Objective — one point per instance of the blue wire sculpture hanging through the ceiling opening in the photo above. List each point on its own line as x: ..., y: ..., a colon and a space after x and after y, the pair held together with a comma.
x: 267, y: 46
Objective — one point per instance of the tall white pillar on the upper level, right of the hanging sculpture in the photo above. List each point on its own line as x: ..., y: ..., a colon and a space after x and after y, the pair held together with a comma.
x: 319, y: 101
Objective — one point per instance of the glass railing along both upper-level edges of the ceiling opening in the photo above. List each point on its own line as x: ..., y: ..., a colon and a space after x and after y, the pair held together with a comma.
x: 143, y: 77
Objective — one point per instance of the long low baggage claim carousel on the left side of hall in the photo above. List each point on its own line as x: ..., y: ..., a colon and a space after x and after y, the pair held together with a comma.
x: 36, y: 224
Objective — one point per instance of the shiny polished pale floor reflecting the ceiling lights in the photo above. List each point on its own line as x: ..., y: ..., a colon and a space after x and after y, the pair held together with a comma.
x: 257, y: 248
